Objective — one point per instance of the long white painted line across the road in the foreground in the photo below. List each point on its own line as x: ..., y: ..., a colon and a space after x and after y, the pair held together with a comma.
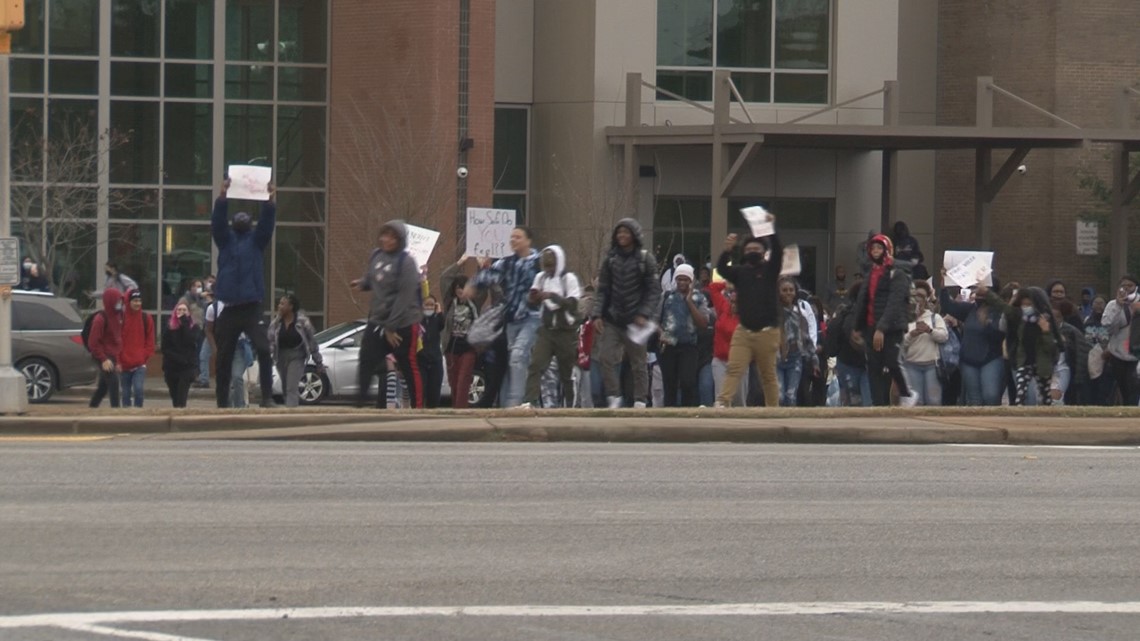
x: 72, y: 620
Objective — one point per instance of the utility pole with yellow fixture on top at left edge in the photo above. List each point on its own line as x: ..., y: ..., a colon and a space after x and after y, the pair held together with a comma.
x: 13, y: 385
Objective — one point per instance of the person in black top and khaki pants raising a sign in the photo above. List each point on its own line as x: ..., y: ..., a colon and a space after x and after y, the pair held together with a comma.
x: 758, y: 337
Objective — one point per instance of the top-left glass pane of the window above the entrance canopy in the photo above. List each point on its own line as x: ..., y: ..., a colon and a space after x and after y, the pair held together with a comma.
x: 685, y: 34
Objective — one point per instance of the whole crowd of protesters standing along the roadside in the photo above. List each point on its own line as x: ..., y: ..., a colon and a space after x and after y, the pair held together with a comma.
x: 738, y: 332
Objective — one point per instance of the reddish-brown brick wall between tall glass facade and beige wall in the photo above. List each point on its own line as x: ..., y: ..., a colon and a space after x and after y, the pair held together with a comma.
x: 394, y: 128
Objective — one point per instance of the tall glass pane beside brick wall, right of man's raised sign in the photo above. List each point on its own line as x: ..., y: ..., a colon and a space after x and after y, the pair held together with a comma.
x: 300, y: 147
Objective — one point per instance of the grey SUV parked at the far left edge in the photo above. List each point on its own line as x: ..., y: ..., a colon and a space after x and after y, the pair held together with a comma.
x: 47, y: 346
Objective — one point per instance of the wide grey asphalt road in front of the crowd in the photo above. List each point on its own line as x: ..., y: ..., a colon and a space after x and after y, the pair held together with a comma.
x: 240, y: 542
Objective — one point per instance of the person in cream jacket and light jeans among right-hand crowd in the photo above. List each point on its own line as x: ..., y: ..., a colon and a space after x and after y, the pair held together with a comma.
x: 921, y: 350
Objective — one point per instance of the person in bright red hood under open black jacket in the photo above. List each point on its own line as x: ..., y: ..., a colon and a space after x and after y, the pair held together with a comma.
x: 882, y: 318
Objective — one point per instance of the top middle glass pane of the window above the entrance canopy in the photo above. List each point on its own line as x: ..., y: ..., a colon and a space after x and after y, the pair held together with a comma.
x: 744, y: 34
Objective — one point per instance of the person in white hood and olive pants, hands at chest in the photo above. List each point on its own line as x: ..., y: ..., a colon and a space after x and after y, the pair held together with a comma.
x: 557, y: 293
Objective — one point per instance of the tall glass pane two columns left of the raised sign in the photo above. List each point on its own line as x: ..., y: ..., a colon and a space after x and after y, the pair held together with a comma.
x: 134, y: 142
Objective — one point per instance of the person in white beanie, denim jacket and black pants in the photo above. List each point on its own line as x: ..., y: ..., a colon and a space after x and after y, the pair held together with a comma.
x: 685, y: 315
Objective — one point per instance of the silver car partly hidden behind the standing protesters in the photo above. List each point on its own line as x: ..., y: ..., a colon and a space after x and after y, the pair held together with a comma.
x: 340, y: 350
